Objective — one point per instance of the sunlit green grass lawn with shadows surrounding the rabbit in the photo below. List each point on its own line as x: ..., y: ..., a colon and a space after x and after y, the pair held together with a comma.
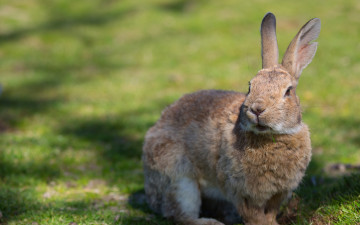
x: 83, y: 81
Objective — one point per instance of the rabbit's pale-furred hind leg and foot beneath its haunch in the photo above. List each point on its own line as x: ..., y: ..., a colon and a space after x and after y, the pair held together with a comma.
x: 182, y: 203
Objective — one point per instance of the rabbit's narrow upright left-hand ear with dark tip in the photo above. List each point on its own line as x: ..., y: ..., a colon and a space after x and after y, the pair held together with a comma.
x: 269, y: 47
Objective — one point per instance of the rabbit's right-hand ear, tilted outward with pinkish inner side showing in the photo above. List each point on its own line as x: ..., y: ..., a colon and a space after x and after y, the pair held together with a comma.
x: 300, y: 51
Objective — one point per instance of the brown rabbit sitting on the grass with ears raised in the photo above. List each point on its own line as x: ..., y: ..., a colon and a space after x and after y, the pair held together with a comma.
x: 249, y: 149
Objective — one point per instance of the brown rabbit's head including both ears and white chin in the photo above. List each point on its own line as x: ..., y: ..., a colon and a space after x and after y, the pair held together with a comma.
x: 271, y: 105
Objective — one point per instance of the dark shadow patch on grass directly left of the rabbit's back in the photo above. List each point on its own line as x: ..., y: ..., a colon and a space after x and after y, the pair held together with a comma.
x: 119, y: 137
